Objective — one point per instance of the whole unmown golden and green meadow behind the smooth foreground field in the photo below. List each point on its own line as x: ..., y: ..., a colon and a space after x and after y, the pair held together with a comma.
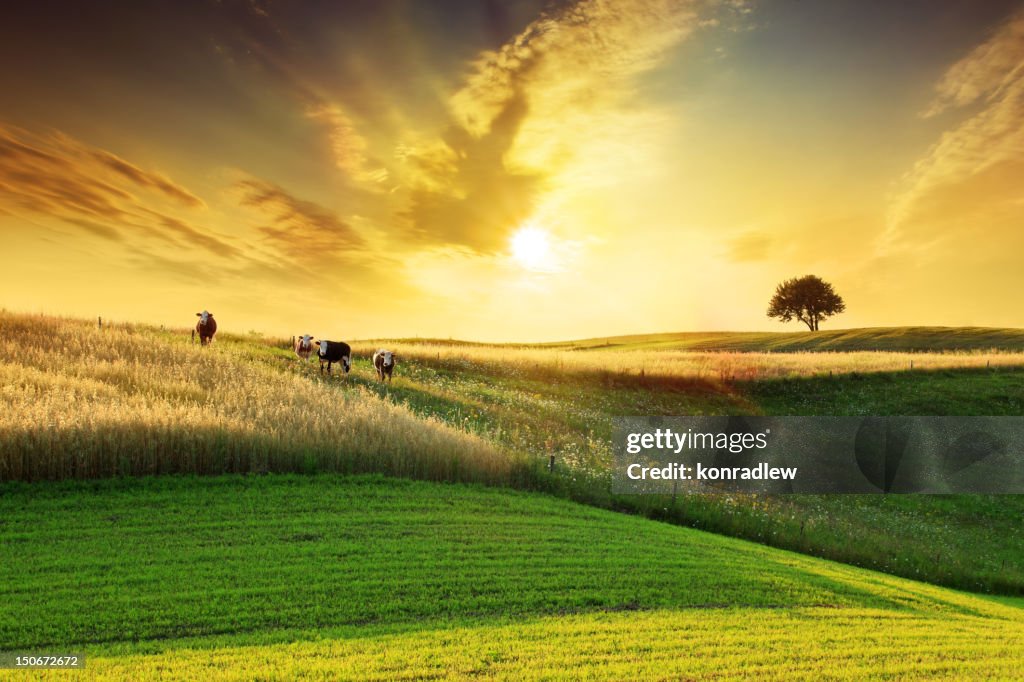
x: 83, y: 403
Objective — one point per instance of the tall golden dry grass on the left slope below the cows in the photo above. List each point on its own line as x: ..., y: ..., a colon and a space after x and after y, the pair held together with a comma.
x: 82, y: 403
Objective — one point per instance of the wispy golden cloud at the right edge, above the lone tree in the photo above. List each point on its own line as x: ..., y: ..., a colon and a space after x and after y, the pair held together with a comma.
x: 946, y: 189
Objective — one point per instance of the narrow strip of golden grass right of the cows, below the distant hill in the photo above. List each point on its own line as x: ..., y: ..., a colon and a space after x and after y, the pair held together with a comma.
x: 680, y: 365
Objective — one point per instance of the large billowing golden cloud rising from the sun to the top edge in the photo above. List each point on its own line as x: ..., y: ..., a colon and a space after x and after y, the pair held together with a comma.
x: 546, y: 111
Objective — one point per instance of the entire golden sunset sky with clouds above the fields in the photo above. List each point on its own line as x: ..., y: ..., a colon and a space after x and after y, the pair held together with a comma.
x: 511, y: 172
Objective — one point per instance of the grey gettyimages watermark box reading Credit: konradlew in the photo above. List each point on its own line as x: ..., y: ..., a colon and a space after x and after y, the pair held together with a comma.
x: 779, y: 455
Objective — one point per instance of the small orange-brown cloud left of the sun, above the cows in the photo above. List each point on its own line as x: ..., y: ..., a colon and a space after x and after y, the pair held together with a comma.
x: 305, y: 232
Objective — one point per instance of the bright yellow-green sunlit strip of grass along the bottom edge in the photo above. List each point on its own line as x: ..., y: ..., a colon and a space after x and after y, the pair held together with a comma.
x: 807, y: 645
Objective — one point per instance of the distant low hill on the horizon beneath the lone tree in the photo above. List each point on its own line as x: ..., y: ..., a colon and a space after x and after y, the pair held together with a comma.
x: 871, y: 338
